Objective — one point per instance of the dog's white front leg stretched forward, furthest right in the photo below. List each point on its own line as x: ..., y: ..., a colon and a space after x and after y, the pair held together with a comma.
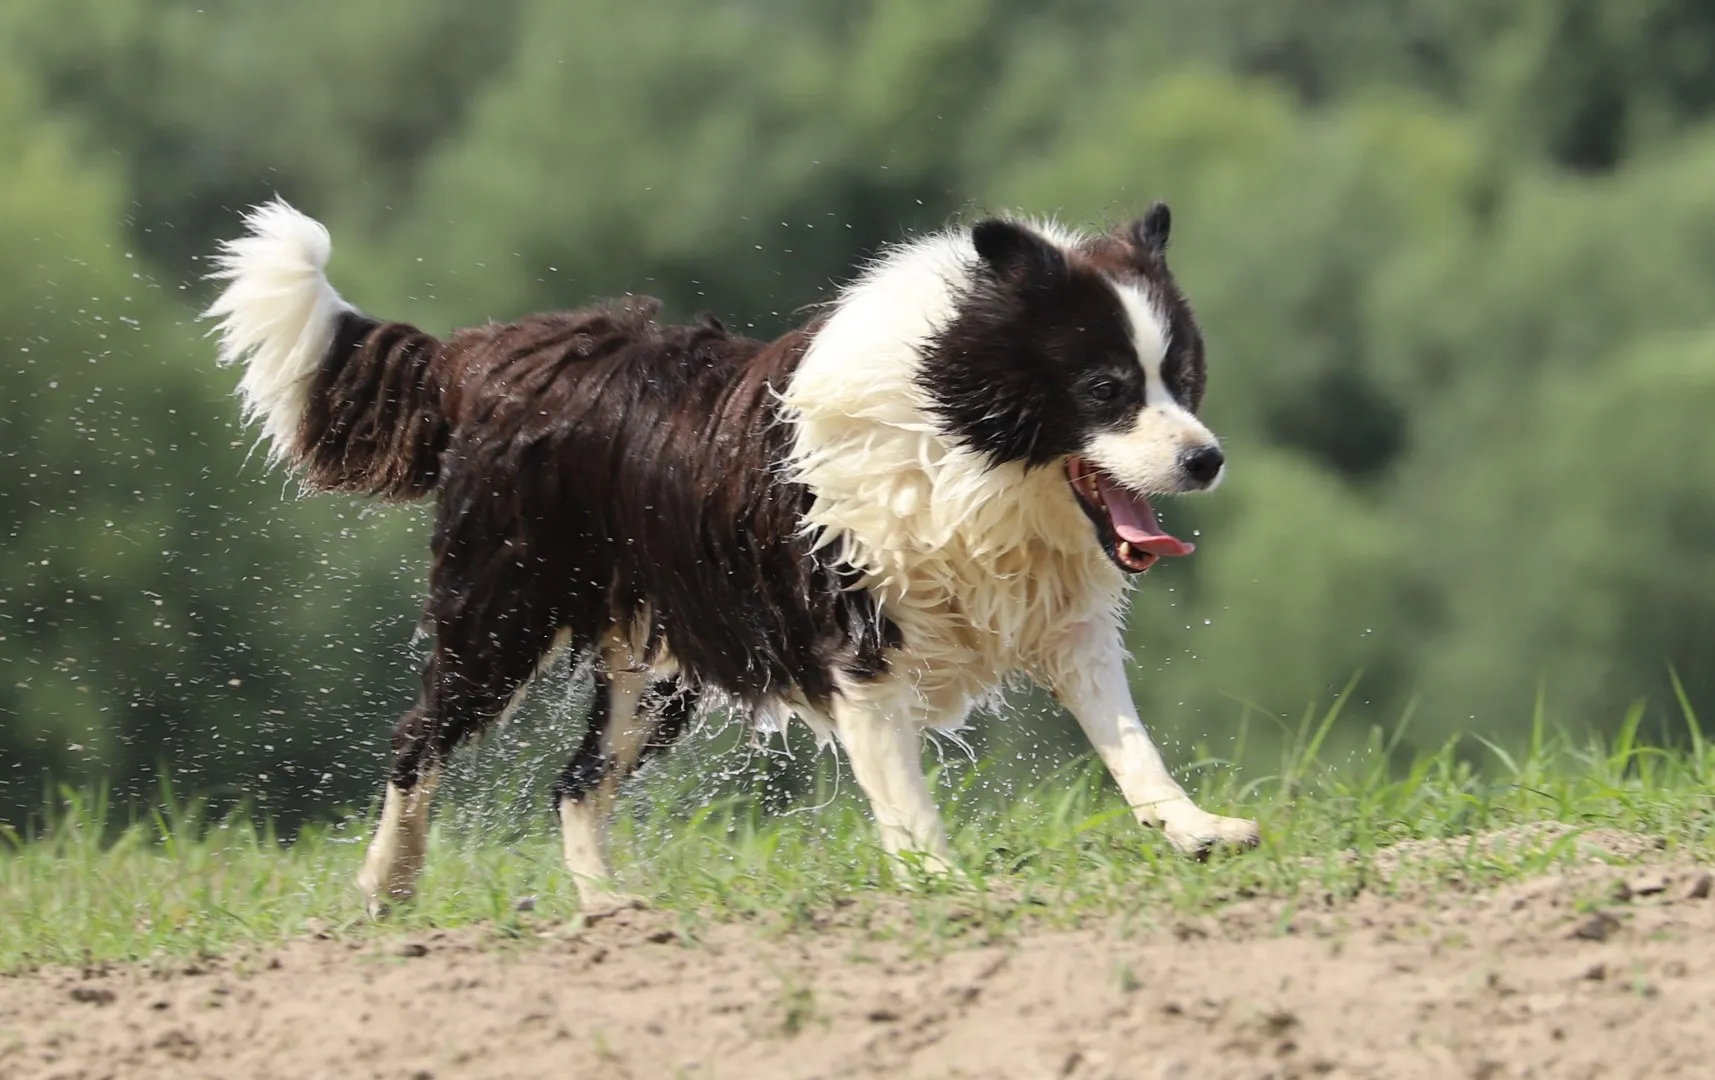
x: 1093, y: 687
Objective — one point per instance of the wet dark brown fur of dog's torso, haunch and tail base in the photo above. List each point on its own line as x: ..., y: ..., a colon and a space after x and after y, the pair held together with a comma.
x: 598, y: 474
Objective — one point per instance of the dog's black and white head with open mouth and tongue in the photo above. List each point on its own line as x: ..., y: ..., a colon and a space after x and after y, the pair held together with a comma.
x: 1081, y: 354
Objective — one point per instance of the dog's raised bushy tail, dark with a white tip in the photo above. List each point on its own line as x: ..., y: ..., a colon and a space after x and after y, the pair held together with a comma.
x: 352, y: 402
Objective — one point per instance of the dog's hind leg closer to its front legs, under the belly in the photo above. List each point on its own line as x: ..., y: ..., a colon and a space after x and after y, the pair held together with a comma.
x: 634, y: 717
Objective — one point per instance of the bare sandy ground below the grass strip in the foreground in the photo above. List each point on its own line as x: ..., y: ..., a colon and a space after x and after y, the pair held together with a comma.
x: 1531, y: 980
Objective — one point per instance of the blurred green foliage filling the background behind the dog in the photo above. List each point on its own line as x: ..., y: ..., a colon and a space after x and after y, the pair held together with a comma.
x: 1455, y: 261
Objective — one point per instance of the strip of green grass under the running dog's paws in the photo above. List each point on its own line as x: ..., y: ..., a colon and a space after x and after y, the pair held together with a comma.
x: 1062, y: 851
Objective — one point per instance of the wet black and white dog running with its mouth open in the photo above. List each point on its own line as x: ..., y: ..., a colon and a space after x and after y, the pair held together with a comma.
x: 870, y: 524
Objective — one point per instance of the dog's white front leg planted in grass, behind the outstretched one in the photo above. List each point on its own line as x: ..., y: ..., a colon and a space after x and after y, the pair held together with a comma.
x: 886, y: 750
